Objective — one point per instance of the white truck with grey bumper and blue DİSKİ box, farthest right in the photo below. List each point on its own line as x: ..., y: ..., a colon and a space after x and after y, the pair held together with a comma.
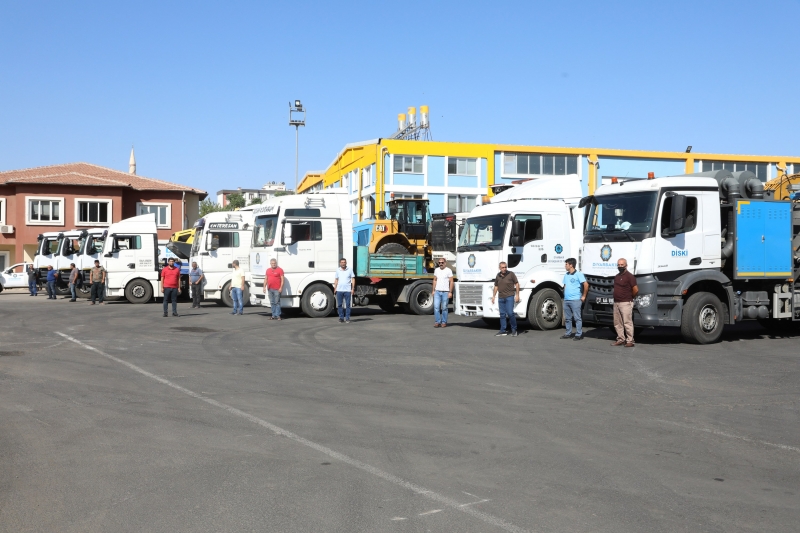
x: 707, y: 249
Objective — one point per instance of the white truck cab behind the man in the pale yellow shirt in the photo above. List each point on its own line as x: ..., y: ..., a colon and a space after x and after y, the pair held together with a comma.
x: 220, y: 238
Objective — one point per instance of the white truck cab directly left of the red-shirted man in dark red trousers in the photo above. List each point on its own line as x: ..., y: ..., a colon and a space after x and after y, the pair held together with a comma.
x: 131, y: 259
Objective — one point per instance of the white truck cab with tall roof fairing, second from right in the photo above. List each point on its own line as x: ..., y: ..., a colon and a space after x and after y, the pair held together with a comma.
x: 534, y: 227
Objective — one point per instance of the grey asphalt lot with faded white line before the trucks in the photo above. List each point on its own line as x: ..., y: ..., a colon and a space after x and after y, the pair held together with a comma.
x: 113, y: 418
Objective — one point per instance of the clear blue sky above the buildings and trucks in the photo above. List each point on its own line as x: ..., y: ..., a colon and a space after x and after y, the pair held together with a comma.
x: 202, y: 88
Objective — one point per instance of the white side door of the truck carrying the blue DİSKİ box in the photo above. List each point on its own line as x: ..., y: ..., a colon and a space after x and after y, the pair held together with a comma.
x: 683, y: 250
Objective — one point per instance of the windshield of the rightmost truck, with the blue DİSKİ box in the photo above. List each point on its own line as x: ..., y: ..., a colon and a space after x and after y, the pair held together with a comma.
x: 625, y: 213
